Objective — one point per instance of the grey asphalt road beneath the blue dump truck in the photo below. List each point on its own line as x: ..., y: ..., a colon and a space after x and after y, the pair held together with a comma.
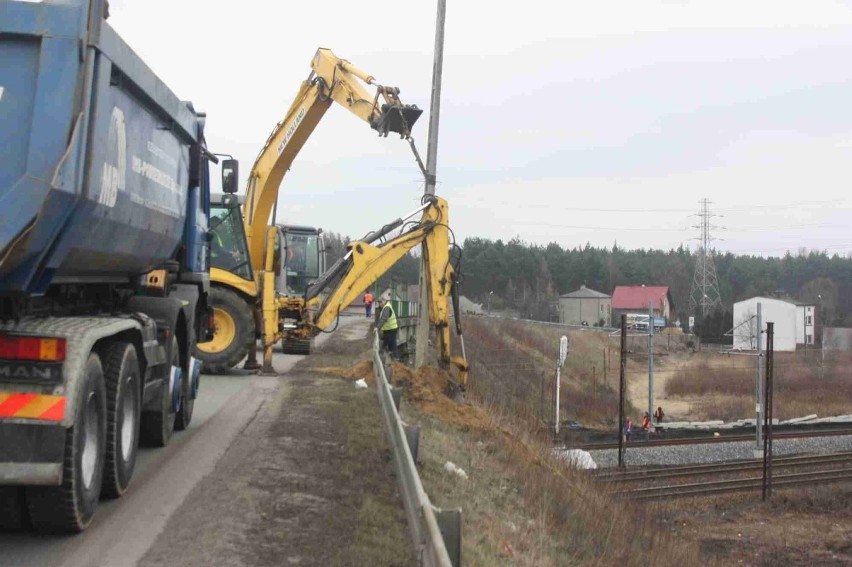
x: 125, y: 529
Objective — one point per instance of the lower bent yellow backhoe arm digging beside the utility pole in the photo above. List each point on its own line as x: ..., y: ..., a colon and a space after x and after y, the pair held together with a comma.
x: 365, y: 262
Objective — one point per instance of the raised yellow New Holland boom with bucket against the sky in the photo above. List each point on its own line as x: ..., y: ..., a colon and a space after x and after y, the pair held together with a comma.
x: 331, y: 80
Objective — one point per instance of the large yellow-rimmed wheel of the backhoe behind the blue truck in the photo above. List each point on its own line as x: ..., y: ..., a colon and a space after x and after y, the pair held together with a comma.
x: 234, y: 333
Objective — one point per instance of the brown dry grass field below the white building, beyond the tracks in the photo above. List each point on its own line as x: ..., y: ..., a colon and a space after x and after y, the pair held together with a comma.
x: 726, y: 385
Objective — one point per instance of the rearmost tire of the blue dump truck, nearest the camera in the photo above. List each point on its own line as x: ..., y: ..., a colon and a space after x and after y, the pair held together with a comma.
x: 69, y: 507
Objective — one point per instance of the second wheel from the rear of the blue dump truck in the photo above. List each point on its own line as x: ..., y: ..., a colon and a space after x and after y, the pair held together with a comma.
x: 121, y: 371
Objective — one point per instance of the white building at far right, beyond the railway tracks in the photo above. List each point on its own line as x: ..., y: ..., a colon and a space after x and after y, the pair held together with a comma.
x: 794, y: 323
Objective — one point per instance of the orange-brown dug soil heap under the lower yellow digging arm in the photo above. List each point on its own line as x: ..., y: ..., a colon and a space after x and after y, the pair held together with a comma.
x: 426, y: 389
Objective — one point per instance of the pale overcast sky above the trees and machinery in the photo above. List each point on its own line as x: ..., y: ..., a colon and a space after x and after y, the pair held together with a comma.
x: 561, y: 122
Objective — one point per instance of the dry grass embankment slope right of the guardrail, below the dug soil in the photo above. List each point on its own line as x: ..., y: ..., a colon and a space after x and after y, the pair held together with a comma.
x: 522, y: 507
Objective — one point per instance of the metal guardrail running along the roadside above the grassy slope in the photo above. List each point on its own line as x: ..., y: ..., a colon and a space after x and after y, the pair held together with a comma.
x: 435, y: 533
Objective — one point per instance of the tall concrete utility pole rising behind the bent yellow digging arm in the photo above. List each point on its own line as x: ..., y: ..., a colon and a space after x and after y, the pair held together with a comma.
x: 422, y: 336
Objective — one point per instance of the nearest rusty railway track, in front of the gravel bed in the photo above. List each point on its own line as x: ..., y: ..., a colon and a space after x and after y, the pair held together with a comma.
x: 835, y: 467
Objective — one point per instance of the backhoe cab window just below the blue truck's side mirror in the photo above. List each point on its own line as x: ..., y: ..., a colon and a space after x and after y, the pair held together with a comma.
x: 228, y: 246
